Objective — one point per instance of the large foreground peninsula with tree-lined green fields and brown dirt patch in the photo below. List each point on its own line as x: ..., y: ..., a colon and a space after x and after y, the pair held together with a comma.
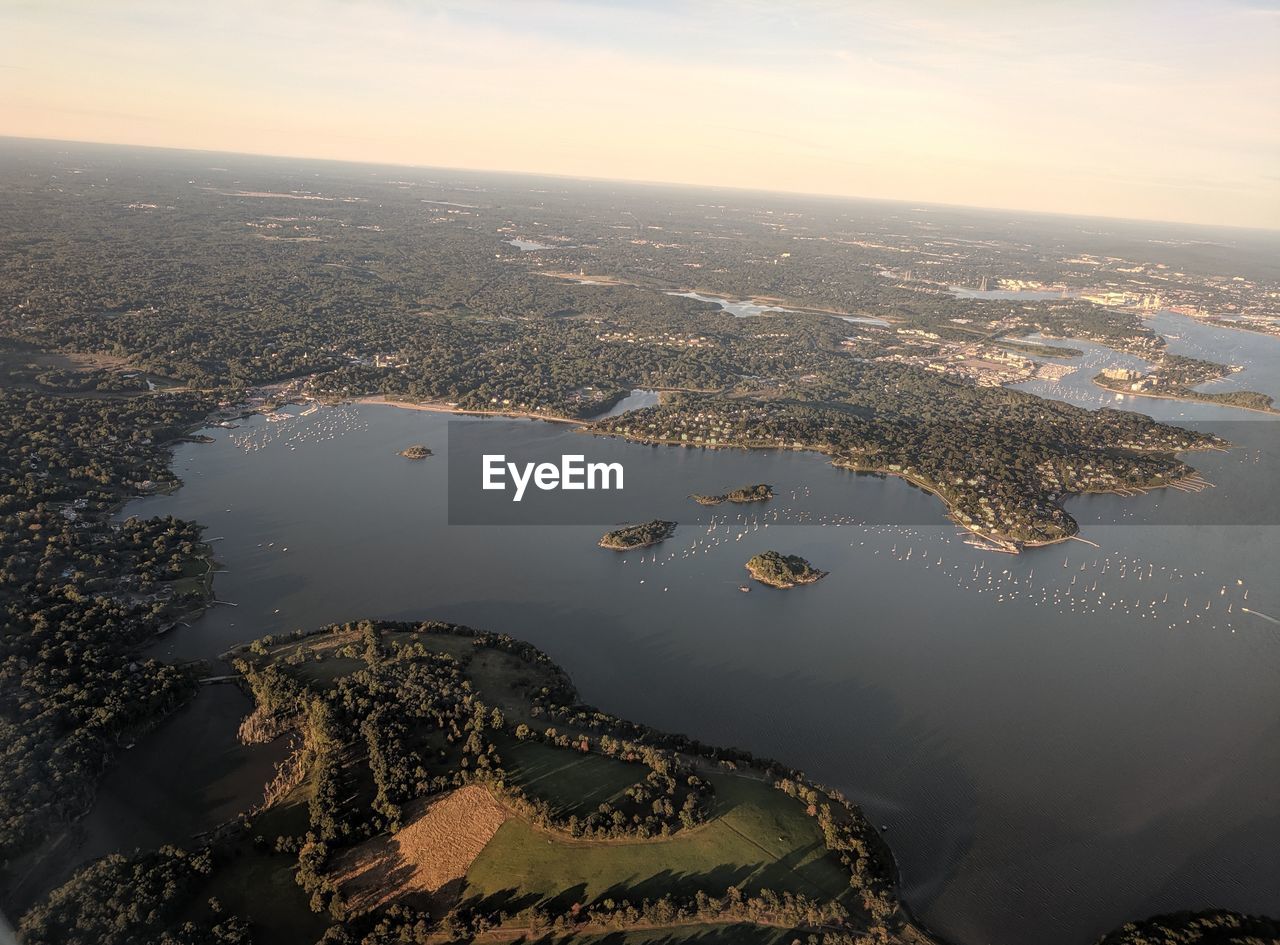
x: 449, y: 783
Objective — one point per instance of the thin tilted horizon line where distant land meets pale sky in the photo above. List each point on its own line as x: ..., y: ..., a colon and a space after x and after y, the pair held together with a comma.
x: 647, y: 184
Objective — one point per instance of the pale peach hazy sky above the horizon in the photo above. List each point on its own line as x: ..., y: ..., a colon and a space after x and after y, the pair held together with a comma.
x: 1163, y: 111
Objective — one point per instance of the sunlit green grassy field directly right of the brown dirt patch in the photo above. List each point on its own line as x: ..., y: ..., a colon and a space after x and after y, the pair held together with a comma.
x: 758, y: 838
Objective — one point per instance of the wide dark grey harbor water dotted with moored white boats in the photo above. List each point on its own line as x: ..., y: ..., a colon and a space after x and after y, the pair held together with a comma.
x: 1123, y: 633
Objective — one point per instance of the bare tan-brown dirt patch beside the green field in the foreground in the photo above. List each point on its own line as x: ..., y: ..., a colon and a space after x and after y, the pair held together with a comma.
x: 441, y: 839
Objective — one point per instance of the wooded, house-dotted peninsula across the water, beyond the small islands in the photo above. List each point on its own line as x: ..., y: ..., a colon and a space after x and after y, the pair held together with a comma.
x: 1055, y: 451
